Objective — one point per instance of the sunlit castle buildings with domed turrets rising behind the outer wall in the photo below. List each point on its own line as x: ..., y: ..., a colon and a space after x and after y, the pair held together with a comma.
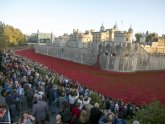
x: 78, y: 39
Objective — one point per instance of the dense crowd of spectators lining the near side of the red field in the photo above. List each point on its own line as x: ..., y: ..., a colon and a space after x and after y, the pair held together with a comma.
x: 47, y: 92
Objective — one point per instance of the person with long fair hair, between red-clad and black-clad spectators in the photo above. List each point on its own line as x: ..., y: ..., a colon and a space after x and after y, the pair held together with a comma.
x: 83, y: 119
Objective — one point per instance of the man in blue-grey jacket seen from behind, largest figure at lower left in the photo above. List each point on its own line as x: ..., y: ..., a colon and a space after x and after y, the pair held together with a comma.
x: 40, y: 111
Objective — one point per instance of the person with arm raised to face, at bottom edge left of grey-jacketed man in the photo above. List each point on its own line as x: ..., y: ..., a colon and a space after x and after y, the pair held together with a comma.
x: 26, y: 119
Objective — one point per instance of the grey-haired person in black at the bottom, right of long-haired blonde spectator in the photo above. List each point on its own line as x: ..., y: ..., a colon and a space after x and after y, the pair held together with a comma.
x: 95, y: 114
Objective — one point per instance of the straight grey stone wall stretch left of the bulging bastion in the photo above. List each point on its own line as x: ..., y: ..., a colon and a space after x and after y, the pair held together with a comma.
x: 80, y: 55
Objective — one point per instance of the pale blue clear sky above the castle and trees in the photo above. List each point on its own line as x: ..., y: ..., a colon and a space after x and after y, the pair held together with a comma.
x: 62, y: 16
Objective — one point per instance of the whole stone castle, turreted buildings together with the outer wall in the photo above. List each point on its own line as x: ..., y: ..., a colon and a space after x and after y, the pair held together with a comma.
x: 108, y: 49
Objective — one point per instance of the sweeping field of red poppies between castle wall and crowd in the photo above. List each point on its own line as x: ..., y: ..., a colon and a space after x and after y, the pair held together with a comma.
x: 138, y: 87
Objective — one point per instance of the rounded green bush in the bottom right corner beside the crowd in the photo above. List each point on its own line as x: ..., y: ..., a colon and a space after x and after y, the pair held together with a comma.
x: 154, y: 113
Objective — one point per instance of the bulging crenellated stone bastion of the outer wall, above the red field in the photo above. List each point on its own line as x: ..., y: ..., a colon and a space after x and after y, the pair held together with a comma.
x: 121, y: 57
